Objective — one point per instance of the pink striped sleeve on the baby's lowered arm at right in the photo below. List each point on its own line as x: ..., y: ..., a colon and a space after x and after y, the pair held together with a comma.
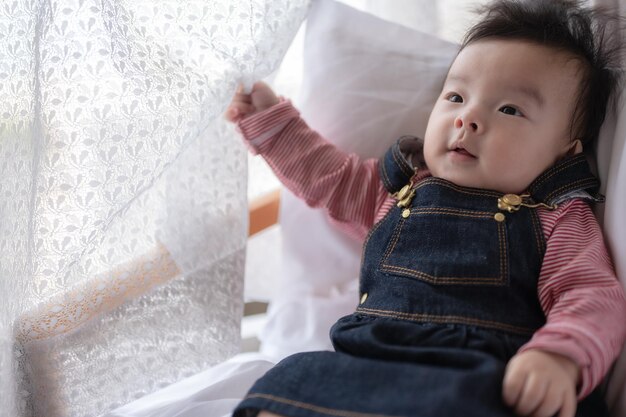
x: 580, y: 294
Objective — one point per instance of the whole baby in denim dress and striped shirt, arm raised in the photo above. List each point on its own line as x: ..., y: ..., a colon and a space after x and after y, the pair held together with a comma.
x: 486, y: 288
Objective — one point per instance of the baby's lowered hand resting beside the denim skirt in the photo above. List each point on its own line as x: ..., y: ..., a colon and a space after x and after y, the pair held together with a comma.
x: 539, y: 384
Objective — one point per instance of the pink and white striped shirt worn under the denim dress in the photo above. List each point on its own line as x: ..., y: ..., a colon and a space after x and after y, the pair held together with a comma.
x: 578, y: 290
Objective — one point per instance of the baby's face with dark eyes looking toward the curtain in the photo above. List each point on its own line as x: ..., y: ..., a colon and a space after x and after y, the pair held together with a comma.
x: 503, y: 116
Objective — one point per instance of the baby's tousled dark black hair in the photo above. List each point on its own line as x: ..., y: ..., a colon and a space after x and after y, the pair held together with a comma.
x: 593, y: 36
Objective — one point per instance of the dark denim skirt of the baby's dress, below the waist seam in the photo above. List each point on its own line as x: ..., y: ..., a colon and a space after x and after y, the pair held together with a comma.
x: 434, y: 374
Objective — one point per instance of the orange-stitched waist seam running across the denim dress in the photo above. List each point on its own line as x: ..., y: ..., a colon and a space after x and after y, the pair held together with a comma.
x: 431, y: 318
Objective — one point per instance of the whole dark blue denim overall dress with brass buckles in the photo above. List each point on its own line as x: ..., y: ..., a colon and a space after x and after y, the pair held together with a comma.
x: 448, y: 295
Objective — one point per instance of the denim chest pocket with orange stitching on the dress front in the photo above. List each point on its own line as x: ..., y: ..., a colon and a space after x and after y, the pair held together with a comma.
x: 447, y: 246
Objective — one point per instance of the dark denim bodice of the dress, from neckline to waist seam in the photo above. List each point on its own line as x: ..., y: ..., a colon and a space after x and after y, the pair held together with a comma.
x: 450, y: 261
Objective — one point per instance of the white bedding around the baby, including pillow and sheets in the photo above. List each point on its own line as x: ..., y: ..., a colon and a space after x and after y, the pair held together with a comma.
x: 390, y: 83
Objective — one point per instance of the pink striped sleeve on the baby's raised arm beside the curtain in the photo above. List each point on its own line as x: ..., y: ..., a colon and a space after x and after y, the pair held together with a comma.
x: 316, y: 170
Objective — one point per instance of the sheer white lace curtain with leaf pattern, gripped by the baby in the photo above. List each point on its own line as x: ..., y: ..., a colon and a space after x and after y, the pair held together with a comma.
x: 122, y: 193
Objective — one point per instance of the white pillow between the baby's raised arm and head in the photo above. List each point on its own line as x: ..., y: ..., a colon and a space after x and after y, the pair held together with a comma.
x: 368, y: 81
